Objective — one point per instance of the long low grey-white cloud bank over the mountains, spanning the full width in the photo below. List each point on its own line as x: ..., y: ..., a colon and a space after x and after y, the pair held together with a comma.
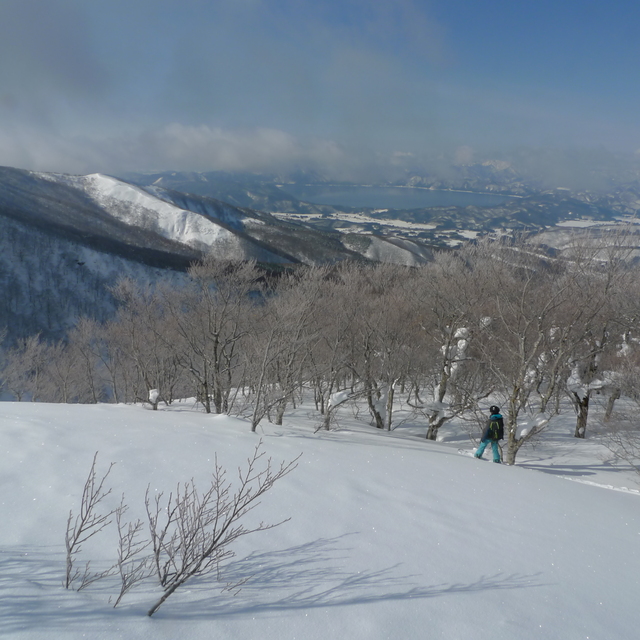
x: 180, y: 147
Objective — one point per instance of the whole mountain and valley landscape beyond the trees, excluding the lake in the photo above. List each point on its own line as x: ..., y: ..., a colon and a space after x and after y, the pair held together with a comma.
x: 66, y: 239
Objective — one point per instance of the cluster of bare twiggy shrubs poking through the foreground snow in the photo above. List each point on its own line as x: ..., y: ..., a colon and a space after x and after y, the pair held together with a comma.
x: 190, y: 531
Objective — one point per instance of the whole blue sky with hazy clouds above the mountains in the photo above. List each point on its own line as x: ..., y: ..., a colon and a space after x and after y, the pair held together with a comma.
x: 349, y: 87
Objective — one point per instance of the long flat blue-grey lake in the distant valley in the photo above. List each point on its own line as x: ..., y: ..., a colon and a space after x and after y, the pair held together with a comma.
x: 391, y: 197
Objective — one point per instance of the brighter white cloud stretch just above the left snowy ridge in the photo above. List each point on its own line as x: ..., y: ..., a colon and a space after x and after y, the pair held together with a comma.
x: 172, y: 147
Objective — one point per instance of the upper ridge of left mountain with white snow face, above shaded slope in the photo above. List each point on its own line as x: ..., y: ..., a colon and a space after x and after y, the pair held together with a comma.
x: 191, y: 224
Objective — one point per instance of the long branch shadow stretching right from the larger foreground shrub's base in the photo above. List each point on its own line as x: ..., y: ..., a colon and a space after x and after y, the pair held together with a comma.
x: 311, y: 576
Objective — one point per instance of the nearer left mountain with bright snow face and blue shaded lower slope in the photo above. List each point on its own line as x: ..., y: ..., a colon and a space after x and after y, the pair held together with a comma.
x: 66, y: 239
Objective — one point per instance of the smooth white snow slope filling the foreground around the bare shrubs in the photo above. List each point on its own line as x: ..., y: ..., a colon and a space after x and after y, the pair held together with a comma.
x: 390, y: 536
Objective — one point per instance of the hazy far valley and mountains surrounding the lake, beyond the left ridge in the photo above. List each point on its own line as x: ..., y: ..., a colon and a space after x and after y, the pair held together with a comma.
x: 528, y: 206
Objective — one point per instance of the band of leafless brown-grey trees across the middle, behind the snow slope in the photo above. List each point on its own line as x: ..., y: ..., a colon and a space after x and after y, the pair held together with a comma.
x: 495, y: 319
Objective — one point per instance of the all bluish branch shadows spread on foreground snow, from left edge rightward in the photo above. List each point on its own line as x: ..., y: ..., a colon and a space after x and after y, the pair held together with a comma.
x: 312, y: 575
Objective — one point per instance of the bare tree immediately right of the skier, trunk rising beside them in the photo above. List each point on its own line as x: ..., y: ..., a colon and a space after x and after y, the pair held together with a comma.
x: 517, y: 329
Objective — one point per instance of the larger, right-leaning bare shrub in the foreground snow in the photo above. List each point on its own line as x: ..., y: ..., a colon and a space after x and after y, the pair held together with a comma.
x: 191, y: 532
